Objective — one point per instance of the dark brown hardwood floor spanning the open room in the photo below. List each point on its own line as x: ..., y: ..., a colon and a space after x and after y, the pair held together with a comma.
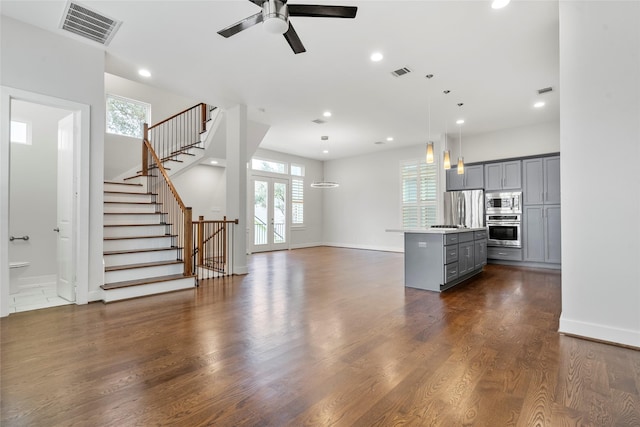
x: 318, y: 337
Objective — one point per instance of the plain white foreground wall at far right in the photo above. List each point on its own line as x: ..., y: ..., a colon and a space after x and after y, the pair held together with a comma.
x: 600, y: 144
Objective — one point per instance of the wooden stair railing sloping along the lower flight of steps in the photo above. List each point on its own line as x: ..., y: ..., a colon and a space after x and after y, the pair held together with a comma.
x: 175, y: 213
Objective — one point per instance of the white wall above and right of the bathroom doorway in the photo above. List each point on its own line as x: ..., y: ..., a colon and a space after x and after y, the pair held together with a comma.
x: 38, y: 61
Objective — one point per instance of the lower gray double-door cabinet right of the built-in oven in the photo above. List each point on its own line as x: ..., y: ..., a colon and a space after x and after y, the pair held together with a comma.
x: 541, y: 226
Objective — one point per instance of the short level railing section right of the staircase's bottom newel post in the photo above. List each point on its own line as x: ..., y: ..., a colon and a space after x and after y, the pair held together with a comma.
x: 213, y: 247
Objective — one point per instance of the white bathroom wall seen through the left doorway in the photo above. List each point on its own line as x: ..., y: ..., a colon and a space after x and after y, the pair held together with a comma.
x: 33, y: 196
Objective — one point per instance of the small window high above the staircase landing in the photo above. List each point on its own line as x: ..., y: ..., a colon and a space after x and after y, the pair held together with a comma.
x: 127, y: 116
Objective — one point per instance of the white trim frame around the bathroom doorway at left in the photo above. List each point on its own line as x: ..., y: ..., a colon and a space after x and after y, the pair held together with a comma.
x: 81, y: 165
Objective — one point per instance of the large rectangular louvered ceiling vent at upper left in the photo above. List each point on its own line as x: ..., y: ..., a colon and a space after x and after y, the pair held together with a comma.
x: 88, y: 23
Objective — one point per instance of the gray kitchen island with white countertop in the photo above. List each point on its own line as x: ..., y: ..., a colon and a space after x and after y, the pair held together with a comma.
x: 436, y: 260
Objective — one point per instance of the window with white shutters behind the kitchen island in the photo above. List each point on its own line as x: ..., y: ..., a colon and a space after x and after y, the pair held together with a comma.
x: 419, y: 194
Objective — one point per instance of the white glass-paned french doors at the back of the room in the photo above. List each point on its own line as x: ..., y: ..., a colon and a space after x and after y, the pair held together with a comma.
x: 270, y: 216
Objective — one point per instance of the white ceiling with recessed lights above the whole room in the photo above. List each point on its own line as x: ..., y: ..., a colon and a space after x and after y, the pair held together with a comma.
x: 493, y: 61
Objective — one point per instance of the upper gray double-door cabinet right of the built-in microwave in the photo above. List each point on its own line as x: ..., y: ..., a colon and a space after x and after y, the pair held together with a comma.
x: 541, y: 181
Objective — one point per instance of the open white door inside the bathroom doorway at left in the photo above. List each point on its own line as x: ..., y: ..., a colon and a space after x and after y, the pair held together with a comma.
x: 64, y: 227
